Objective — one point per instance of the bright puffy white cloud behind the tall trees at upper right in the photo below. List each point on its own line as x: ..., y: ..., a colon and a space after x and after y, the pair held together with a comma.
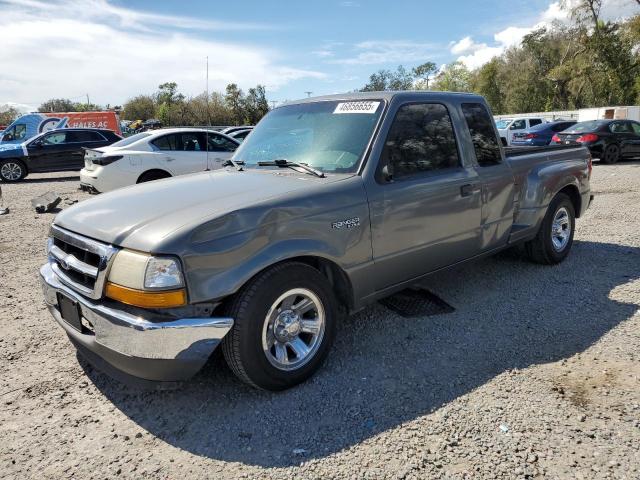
x: 474, y: 54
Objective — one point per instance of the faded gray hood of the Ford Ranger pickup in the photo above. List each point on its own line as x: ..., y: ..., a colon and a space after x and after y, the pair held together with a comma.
x: 143, y: 216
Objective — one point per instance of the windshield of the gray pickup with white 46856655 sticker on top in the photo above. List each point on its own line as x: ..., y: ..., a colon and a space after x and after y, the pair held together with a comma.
x: 328, y: 136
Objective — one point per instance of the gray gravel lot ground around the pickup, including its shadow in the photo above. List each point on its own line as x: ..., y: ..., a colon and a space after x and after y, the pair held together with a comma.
x: 536, y: 374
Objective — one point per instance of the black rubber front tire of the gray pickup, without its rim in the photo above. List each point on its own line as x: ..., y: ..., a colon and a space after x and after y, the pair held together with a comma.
x: 243, y: 345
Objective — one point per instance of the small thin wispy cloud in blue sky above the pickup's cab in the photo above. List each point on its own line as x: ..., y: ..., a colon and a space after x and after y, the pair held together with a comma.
x: 375, y: 52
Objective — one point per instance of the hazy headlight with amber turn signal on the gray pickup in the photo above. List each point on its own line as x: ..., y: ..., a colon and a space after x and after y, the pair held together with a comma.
x: 146, y: 281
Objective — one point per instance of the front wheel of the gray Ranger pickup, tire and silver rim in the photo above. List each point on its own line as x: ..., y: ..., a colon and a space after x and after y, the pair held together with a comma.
x: 284, y: 324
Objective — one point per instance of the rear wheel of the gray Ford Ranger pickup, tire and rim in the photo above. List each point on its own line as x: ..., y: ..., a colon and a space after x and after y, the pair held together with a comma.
x: 555, y: 237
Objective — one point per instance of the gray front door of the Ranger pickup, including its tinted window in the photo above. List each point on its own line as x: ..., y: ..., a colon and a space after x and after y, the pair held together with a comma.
x: 425, y: 207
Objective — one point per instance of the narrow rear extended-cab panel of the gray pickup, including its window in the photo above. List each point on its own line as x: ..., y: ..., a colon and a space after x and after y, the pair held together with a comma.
x: 496, y: 178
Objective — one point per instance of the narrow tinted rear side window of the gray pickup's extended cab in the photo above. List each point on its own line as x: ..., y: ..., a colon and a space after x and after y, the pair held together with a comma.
x: 485, y: 142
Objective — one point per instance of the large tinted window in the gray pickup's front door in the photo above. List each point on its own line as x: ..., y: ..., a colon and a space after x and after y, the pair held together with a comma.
x: 421, y: 139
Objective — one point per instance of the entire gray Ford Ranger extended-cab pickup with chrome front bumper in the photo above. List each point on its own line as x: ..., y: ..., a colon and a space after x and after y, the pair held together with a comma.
x: 330, y: 204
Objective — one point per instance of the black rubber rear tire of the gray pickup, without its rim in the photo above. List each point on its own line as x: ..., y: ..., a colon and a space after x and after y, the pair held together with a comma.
x: 542, y: 248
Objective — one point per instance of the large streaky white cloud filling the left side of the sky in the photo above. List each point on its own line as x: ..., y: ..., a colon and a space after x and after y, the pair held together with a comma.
x: 66, y: 48
